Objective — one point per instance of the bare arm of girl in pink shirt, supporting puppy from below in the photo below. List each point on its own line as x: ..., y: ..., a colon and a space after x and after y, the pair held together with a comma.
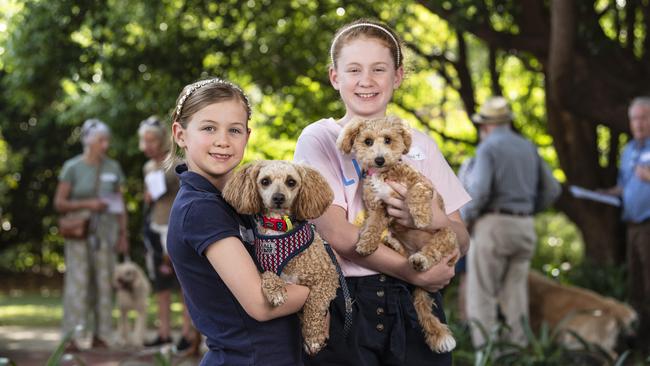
x: 334, y: 227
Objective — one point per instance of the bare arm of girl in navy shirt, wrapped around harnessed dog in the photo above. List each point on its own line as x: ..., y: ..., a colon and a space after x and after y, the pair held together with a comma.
x: 235, y: 266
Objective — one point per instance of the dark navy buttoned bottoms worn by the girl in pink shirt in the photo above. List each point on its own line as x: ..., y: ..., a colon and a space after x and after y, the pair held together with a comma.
x: 385, y: 329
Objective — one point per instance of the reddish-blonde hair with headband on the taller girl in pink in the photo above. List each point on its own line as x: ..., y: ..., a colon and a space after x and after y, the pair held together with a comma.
x: 369, y: 29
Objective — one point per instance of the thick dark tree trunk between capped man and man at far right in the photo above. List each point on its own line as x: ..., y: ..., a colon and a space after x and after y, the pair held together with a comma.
x: 575, y: 140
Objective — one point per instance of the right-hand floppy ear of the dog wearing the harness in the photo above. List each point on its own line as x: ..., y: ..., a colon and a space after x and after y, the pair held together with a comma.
x: 315, y: 194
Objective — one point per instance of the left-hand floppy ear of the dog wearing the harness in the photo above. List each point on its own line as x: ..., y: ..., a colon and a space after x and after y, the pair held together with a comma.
x: 241, y: 189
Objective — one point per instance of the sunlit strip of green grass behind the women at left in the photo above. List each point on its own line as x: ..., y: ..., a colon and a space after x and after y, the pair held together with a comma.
x: 44, y: 308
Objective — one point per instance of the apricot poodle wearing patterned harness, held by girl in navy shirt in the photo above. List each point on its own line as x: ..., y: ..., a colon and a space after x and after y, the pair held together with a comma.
x: 282, y: 196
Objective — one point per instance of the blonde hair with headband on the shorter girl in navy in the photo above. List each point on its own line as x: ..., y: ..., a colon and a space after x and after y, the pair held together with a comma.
x: 197, y: 96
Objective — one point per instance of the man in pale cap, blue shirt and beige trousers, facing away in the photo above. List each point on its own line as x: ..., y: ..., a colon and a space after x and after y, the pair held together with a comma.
x: 509, y: 183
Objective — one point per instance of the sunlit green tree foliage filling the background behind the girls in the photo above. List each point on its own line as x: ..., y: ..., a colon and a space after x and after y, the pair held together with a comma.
x: 64, y: 61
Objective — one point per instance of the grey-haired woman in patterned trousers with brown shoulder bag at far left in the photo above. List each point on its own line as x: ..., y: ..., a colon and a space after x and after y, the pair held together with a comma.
x: 91, y: 184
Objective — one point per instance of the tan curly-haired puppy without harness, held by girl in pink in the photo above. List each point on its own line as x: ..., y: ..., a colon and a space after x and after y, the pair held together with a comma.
x: 378, y: 145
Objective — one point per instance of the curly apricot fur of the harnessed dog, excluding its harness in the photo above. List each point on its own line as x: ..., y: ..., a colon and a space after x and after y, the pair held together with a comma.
x: 276, y: 189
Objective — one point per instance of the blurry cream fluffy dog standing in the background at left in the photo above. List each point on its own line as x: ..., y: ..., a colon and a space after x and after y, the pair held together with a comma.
x: 133, y: 291
